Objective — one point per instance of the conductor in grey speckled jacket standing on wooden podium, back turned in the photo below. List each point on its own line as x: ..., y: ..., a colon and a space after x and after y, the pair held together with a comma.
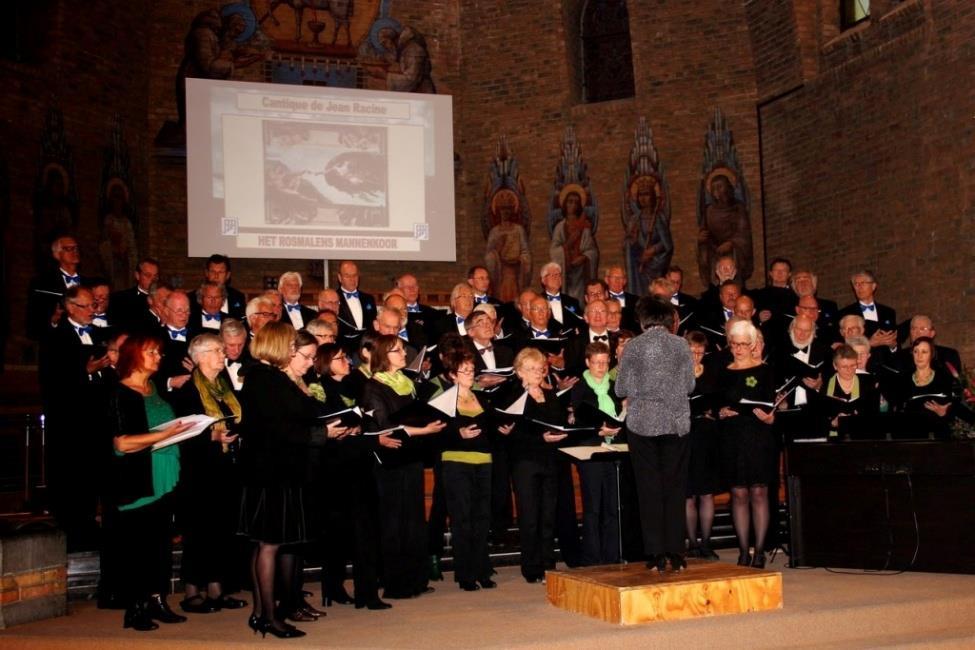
x: 656, y: 373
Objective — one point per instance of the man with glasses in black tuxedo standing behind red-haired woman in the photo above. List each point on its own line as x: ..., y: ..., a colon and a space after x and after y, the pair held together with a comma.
x: 70, y: 355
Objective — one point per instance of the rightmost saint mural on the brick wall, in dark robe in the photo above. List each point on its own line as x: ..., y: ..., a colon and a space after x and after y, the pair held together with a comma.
x: 723, y: 206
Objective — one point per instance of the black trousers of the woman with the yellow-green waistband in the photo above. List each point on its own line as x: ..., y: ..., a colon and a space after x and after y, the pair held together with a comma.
x: 467, y: 487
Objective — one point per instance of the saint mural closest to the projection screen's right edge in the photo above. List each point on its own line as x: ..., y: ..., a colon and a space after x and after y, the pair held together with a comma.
x: 506, y: 223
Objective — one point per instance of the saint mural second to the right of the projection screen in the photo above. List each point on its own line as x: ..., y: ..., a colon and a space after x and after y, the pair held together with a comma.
x: 573, y: 218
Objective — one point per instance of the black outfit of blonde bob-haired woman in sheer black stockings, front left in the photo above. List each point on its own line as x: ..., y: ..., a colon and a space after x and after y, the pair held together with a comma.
x: 278, y: 427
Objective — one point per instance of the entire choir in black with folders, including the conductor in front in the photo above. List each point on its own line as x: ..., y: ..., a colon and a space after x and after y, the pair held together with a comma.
x: 322, y: 419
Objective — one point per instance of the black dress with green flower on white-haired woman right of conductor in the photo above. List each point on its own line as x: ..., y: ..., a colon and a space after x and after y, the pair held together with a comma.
x: 748, y: 450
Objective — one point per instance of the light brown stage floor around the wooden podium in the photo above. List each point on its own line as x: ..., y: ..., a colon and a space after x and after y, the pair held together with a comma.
x: 821, y: 609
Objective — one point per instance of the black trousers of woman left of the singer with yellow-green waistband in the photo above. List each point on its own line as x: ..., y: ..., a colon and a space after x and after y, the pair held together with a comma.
x: 402, y: 519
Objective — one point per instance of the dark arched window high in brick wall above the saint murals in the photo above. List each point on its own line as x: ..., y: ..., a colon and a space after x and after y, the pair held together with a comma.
x: 607, y: 61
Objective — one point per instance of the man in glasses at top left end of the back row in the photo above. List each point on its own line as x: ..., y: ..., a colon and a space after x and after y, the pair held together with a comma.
x: 44, y: 300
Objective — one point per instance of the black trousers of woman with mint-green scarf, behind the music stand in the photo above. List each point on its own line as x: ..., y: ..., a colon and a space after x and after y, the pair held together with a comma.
x: 600, y: 513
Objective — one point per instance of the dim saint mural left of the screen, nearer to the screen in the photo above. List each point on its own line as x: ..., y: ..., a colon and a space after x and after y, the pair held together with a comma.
x: 117, y: 250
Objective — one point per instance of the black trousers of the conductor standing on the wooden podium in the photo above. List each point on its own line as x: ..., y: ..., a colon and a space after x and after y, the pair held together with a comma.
x: 660, y: 470
